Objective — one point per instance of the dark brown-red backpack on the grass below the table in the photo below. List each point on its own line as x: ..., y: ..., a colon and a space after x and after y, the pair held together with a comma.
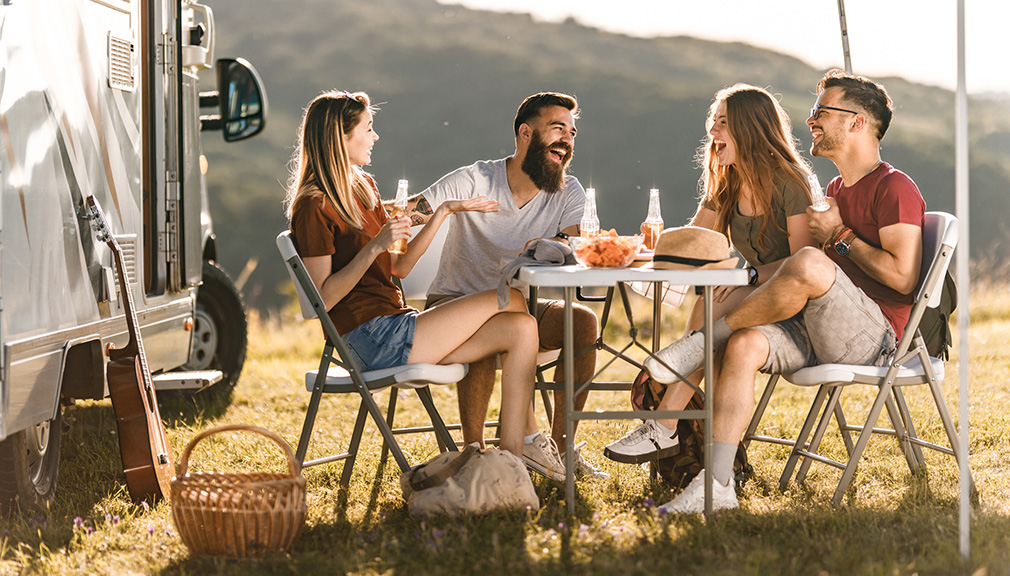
x: 681, y: 468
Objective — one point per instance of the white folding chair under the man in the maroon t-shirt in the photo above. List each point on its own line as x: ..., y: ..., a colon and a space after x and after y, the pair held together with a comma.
x: 911, y: 366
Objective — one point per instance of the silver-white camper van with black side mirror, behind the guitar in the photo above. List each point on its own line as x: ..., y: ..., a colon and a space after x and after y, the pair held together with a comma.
x: 102, y: 100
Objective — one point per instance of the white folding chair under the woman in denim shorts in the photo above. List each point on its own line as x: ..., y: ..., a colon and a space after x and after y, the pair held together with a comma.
x: 340, y: 374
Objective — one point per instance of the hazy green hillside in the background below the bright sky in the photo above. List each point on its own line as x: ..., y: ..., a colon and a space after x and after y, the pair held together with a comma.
x: 450, y: 80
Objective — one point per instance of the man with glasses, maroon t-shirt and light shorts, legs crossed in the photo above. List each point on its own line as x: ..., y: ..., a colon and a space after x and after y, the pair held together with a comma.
x: 847, y: 303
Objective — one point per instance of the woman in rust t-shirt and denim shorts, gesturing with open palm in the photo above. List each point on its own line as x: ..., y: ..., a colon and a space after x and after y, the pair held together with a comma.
x: 343, y: 235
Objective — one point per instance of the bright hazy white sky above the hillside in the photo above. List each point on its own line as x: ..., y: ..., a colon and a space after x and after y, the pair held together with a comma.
x: 917, y: 40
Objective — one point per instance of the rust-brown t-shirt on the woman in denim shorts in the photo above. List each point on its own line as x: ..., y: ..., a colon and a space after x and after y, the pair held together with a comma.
x: 320, y: 231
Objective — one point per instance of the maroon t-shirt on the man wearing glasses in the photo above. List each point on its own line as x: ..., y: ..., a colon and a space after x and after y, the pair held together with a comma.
x: 884, y: 198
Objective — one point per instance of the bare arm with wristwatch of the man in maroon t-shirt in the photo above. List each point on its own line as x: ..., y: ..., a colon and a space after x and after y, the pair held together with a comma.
x: 895, y: 264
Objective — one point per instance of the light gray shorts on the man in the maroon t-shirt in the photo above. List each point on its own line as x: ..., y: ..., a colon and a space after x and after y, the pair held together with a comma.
x: 843, y: 327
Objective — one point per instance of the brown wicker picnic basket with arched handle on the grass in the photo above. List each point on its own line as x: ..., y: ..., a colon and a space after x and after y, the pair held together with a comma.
x: 240, y: 515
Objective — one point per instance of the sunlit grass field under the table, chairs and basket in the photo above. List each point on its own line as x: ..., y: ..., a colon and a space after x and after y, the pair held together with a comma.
x: 889, y: 524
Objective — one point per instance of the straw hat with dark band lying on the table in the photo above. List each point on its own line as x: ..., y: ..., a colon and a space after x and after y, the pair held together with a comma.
x: 687, y: 248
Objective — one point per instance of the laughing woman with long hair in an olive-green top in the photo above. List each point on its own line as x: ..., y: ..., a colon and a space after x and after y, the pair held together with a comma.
x: 755, y: 190
